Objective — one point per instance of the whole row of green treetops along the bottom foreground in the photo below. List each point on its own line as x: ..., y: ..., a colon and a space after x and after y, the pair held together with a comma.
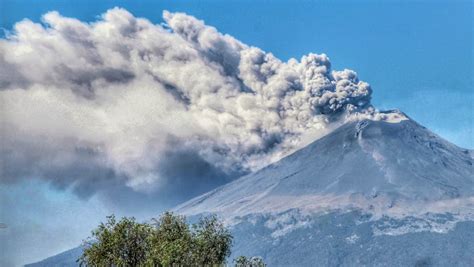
x: 168, y: 241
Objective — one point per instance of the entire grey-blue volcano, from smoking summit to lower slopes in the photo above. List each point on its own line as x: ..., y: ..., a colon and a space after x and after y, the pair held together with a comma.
x: 370, y: 193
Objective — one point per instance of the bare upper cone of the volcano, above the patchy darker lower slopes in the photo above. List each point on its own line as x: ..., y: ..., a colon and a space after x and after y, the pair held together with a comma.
x: 383, y: 166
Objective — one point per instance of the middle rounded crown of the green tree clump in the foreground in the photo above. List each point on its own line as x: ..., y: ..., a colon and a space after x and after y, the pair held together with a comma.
x: 171, y: 242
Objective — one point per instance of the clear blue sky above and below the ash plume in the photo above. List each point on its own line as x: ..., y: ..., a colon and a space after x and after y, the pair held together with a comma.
x: 418, y: 57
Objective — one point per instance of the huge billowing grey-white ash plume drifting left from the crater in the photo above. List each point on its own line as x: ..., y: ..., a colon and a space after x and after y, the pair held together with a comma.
x: 123, y: 104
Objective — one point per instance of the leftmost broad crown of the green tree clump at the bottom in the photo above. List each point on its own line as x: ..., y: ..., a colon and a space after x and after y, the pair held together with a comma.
x: 117, y: 243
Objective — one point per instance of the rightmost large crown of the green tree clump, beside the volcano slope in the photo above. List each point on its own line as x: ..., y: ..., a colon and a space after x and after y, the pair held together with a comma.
x: 212, y: 242
